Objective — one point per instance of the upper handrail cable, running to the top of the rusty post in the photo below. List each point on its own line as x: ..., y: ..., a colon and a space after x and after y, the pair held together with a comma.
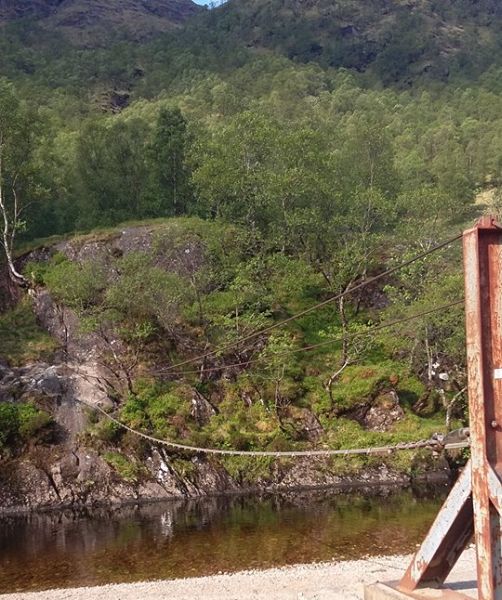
x: 316, y: 306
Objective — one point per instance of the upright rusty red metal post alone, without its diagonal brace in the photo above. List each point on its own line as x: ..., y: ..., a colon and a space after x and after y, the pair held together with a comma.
x: 483, y: 311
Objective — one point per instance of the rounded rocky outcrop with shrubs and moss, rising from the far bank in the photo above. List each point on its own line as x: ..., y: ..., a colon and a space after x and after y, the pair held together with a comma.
x: 115, y: 310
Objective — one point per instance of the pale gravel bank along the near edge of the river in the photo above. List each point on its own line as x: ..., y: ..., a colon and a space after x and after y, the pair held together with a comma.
x: 327, y: 581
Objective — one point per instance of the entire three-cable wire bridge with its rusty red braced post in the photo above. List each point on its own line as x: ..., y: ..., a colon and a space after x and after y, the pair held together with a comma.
x: 474, y: 506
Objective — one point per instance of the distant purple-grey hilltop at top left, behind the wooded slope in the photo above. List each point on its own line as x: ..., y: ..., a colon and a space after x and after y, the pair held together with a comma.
x: 98, y: 21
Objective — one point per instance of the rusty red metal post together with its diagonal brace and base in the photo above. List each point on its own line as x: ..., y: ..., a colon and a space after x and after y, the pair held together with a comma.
x: 475, y: 503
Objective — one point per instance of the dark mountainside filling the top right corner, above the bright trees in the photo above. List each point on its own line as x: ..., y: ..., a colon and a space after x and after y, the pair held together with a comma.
x: 394, y: 39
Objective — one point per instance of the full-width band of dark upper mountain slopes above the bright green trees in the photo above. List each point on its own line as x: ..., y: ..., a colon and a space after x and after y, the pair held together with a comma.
x: 390, y: 41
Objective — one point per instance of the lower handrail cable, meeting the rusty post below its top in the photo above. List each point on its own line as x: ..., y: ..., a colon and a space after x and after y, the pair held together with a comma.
x: 321, y: 344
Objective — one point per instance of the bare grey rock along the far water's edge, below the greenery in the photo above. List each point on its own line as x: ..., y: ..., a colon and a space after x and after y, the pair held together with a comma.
x: 59, y: 469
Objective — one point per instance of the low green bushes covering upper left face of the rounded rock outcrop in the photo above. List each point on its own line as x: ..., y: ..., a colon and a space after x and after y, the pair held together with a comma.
x: 137, y: 298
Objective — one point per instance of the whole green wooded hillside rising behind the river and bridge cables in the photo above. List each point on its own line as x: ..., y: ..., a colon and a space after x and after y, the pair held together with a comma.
x: 177, y: 195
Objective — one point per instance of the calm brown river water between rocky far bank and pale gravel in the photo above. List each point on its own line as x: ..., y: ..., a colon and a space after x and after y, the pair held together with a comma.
x: 183, y: 539
